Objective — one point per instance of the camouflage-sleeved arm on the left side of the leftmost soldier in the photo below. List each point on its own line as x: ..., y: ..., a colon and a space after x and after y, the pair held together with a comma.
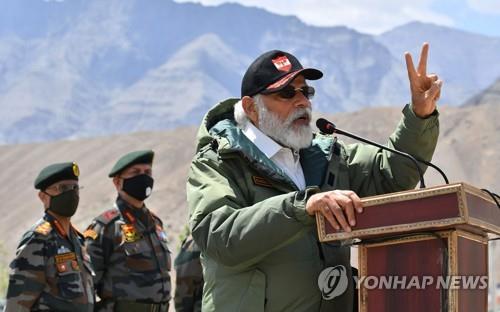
x: 27, y: 277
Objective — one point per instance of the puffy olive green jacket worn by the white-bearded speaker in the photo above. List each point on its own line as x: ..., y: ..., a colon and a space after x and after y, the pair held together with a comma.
x: 260, y: 250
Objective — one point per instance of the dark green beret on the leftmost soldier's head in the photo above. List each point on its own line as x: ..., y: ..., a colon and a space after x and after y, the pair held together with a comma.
x: 55, y: 173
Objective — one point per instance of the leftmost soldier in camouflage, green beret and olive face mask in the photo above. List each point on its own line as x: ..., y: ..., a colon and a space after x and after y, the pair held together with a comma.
x: 51, y: 270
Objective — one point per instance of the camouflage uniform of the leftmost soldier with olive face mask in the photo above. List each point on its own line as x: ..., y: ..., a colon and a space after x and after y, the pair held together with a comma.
x: 51, y: 271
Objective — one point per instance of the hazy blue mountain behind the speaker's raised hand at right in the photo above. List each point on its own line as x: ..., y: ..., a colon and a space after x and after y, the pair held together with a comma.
x: 447, y: 59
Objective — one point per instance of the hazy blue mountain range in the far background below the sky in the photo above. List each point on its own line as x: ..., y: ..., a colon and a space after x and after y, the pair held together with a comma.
x: 74, y: 69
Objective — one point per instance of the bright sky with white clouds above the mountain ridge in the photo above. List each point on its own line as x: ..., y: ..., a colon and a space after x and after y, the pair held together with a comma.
x: 375, y: 17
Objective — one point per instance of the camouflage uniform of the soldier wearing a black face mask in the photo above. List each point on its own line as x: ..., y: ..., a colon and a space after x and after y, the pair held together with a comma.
x: 129, y: 252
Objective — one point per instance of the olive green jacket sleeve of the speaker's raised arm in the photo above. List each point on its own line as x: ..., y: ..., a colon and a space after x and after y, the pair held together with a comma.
x: 373, y: 171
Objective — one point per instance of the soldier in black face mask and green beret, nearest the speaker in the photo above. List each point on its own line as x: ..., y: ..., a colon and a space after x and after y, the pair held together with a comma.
x: 127, y: 243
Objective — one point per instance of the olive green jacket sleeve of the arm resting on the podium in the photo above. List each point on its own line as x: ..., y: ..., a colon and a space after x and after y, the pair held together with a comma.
x: 231, y: 232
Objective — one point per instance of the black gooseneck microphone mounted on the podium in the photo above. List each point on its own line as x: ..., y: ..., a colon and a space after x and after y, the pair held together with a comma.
x: 328, y: 127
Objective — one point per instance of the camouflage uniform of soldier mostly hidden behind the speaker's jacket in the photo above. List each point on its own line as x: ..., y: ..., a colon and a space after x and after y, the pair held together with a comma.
x: 189, y: 277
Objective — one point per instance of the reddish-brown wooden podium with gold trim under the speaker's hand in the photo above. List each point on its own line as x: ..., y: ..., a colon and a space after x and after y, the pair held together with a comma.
x: 436, y: 236
